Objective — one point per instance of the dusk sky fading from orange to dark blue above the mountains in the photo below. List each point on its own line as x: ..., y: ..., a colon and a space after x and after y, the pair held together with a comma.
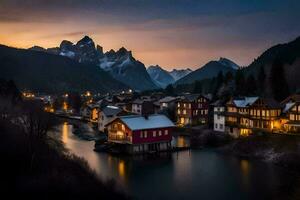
x: 170, y: 33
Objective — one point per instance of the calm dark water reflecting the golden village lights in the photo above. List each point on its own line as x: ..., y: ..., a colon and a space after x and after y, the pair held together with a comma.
x: 196, y: 174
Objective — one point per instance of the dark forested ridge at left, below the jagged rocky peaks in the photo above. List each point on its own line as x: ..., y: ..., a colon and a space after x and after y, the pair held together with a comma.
x: 40, y: 71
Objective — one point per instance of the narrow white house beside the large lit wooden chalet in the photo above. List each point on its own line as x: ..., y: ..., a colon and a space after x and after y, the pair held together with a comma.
x: 219, y: 116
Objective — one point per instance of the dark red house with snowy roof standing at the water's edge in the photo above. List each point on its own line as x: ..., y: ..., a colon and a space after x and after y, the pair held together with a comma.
x: 141, y: 134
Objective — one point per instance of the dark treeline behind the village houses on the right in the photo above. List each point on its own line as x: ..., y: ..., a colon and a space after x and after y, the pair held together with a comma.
x: 242, y: 83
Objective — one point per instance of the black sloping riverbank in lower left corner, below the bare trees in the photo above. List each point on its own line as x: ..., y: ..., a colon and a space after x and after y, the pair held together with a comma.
x: 43, y: 169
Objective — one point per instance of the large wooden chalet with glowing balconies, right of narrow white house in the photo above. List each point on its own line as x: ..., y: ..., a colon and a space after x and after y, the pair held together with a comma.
x: 248, y: 114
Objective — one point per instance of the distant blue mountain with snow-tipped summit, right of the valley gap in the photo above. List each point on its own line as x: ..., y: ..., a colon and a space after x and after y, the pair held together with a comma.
x: 209, y: 70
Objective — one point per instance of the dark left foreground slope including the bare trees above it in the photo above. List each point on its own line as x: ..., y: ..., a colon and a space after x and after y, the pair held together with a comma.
x: 36, y: 166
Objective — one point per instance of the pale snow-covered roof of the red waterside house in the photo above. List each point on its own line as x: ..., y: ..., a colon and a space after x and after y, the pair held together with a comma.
x: 137, y: 122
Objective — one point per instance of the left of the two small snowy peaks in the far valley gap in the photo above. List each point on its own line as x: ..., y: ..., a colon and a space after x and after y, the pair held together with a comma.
x: 161, y: 77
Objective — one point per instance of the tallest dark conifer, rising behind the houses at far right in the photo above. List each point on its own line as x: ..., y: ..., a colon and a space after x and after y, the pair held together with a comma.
x: 278, y: 81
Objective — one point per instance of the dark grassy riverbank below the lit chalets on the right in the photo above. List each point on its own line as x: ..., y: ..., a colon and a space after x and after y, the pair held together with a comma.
x: 282, y: 150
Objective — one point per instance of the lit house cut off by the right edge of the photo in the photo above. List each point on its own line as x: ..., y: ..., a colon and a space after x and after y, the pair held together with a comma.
x: 292, y: 114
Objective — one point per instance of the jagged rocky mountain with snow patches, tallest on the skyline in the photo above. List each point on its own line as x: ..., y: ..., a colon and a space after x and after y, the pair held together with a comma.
x: 120, y: 64
